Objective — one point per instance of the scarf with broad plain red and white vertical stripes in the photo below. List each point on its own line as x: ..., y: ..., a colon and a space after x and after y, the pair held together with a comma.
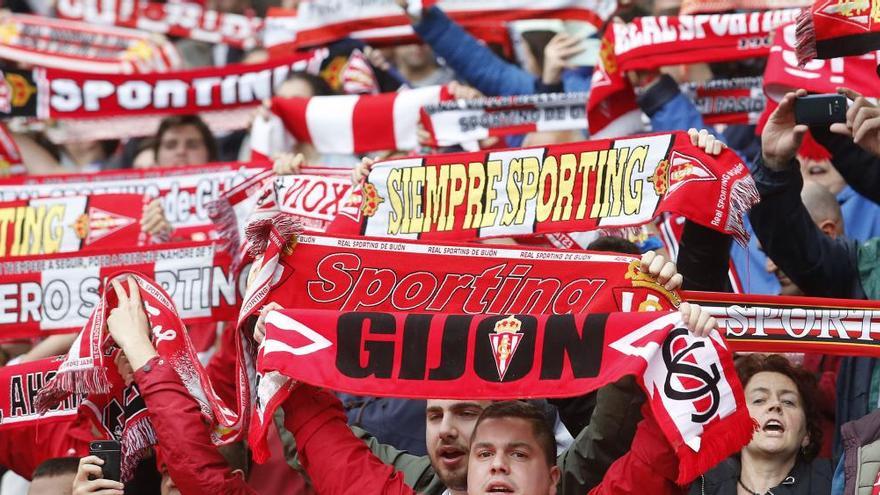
x: 350, y: 124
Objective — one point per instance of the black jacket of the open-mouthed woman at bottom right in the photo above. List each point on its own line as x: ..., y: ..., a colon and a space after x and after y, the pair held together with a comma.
x: 812, y: 478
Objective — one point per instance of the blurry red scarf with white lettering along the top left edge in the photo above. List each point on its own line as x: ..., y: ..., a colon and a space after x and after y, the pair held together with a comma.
x: 180, y: 19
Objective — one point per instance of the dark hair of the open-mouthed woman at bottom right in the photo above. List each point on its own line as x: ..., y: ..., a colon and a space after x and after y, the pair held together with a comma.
x: 750, y: 365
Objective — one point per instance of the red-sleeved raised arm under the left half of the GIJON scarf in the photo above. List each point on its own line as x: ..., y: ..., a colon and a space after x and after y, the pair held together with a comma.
x: 337, y: 462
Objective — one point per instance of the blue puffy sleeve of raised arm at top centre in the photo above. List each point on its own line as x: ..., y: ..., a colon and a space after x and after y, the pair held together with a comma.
x: 471, y: 60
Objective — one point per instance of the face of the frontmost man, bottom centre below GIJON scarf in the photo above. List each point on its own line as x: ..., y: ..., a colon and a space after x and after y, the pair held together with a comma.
x: 507, y: 458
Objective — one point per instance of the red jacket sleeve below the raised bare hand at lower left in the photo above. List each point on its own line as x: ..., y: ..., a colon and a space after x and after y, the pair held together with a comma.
x: 194, y: 463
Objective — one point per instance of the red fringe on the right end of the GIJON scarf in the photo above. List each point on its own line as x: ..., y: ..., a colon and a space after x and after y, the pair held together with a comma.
x: 718, y: 442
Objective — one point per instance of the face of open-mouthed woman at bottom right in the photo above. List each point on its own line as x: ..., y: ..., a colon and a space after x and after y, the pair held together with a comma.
x: 775, y: 403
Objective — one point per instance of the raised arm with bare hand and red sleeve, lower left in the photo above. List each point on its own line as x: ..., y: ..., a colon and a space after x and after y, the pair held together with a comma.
x: 194, y: 463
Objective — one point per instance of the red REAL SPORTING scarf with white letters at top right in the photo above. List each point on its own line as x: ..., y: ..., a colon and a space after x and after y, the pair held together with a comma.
x: 651, y: 42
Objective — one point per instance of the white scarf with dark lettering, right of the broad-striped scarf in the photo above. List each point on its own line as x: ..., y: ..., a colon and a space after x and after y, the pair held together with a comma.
x: 468, y: 121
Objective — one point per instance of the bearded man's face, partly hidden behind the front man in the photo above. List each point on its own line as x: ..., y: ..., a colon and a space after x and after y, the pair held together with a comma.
x: 448, y: 428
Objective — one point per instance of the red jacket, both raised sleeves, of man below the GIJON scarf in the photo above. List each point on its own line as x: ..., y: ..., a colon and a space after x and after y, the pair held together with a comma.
x: 338, y: 463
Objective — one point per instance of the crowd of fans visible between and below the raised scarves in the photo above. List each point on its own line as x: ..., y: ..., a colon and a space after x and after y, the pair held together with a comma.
x: 816, y: 231
